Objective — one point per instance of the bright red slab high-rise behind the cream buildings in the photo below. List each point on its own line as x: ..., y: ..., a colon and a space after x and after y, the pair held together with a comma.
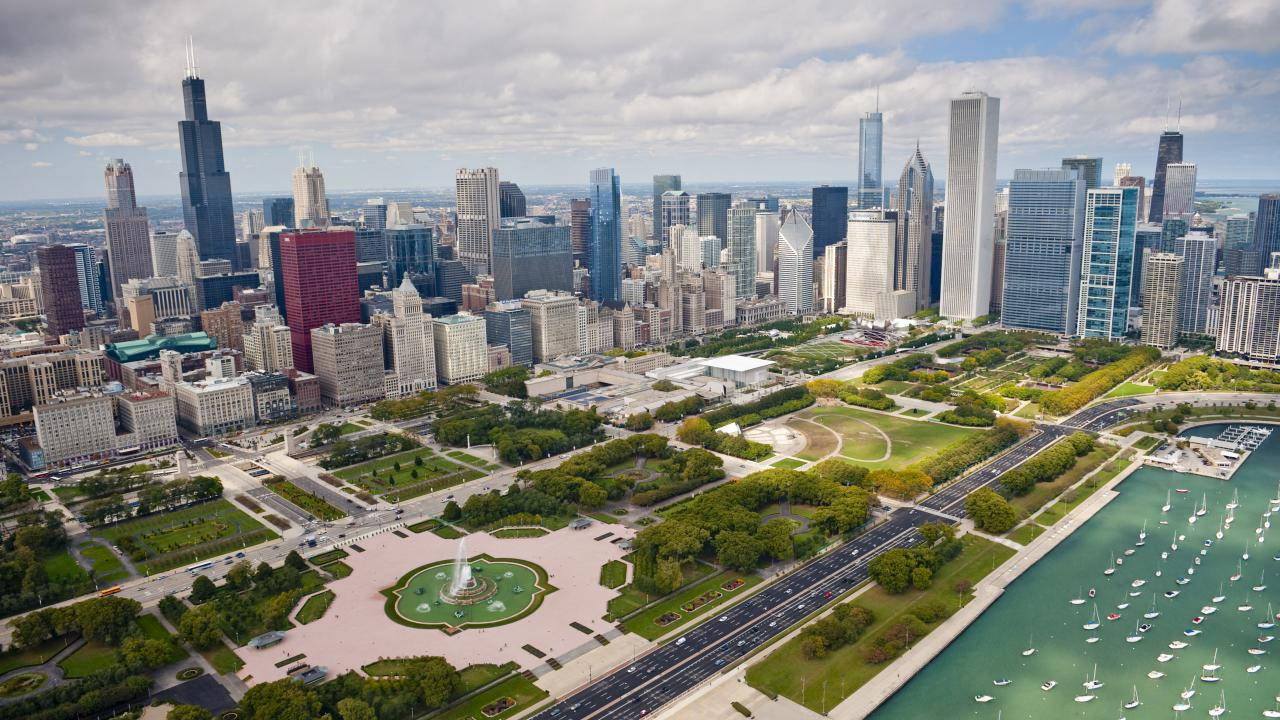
x: 321, y: 286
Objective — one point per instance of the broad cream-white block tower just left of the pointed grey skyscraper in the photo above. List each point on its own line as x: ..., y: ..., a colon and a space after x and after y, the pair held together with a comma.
x: 870, y: 270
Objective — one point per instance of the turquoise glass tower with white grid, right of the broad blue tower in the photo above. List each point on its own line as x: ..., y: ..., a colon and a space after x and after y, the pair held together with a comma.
x: 1107, y: 266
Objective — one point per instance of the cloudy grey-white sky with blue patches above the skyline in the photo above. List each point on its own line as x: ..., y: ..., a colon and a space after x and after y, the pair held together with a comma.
x: 400, y: 94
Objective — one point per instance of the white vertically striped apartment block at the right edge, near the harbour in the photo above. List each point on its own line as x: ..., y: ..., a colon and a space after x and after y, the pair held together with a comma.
x: 1250, y: 317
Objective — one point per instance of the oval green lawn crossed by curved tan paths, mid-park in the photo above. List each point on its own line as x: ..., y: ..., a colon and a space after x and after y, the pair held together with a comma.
x: 871, y: 439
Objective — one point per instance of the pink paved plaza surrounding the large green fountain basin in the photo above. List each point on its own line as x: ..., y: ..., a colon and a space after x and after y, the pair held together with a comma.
x: 356, y: 631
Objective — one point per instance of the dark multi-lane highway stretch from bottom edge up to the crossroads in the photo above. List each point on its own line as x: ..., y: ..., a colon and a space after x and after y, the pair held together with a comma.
x: 678, y: 667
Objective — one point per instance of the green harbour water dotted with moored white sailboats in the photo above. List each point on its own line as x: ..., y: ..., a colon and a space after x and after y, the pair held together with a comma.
x: 1036, y: 610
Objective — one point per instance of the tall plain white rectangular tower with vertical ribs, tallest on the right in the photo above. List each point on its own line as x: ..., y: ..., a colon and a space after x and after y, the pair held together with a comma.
x: 968, y: 247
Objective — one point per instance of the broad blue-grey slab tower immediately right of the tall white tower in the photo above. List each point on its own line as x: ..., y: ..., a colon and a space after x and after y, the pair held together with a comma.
x: 1043, y: 256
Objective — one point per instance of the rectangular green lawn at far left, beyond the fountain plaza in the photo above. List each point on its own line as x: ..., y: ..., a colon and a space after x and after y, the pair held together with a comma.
x: 190, y: 535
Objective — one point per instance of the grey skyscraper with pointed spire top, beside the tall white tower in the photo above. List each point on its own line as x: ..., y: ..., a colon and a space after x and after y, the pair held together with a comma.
x: 913, y: 254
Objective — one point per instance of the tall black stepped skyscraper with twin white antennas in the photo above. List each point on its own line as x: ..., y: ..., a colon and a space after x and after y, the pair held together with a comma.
x: 205, y: 184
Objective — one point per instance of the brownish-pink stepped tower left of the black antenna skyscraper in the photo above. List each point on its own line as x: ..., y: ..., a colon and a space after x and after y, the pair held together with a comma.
x: 129, y: 240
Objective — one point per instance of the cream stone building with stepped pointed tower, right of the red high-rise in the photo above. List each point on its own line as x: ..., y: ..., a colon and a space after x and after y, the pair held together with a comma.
x: 408, y: 344
